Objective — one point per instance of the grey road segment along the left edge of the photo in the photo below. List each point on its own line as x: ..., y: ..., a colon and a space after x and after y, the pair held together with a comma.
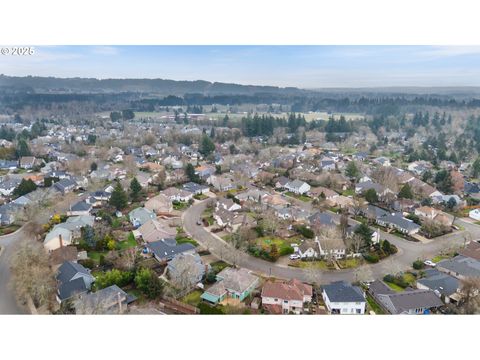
x: 8, y: 303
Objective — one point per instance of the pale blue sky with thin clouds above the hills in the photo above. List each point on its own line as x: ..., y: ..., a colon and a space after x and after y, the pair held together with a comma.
x: 298, y: 66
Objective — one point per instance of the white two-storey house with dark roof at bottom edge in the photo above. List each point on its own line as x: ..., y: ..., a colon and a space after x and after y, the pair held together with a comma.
x: 341, y: 297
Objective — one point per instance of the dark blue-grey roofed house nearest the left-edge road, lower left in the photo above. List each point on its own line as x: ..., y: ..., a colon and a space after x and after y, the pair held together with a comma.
x: 72, y: 279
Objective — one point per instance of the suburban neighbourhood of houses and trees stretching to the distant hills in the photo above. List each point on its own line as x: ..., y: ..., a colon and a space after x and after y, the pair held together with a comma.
x: 163, y: 197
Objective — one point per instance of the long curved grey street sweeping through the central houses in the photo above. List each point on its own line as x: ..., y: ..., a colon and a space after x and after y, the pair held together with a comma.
x: 408, y: 252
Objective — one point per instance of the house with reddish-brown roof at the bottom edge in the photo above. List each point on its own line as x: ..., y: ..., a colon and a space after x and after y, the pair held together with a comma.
x: 286, y: 297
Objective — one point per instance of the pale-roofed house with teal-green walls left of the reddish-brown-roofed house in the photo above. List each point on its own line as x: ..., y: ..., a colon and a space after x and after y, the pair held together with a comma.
x: 231, y: 283
